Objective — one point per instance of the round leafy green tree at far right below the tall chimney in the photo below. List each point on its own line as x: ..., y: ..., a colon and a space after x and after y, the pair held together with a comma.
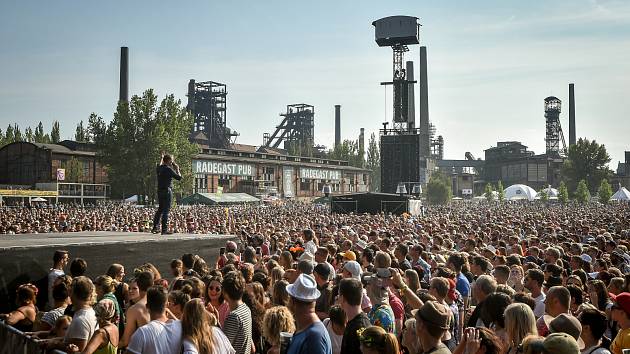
x: 586, y: 160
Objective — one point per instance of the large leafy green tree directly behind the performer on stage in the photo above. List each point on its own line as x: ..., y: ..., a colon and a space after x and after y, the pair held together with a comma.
x: 137, y: 135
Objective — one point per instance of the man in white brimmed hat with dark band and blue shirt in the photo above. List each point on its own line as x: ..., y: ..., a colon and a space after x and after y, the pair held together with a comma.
x: 311, y: 336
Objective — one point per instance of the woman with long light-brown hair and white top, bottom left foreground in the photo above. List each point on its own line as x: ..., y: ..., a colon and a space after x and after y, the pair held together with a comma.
x: 200, y: 333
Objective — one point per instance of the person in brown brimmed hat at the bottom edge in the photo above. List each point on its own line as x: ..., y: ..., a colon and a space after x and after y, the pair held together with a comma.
x: 432, y: 321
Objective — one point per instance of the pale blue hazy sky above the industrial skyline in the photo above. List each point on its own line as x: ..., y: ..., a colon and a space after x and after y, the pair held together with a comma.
x: 491, y: 63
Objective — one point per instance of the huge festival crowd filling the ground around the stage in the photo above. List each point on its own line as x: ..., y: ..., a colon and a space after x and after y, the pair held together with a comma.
x: 495, y: 279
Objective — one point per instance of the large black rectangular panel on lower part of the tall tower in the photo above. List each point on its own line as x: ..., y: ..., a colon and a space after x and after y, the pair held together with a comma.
x: 400, y: 160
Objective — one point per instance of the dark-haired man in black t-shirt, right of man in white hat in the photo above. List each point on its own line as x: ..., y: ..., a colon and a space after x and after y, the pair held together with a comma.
x: 350, y: 295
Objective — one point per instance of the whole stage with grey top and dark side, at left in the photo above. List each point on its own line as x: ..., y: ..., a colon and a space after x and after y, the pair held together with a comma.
x: 28, y: 257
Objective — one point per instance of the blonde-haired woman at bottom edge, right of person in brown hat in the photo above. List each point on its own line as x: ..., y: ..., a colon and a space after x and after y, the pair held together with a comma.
x: 520, y: 322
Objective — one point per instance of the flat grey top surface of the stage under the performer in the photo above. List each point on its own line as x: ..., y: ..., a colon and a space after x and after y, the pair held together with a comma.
x: 93, y: 238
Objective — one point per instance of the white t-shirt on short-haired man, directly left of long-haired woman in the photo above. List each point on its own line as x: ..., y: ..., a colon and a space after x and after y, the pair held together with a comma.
x: 157, y: 337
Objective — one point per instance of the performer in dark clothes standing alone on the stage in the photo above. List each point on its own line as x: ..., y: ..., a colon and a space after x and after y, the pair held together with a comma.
x: 166, y: 171
